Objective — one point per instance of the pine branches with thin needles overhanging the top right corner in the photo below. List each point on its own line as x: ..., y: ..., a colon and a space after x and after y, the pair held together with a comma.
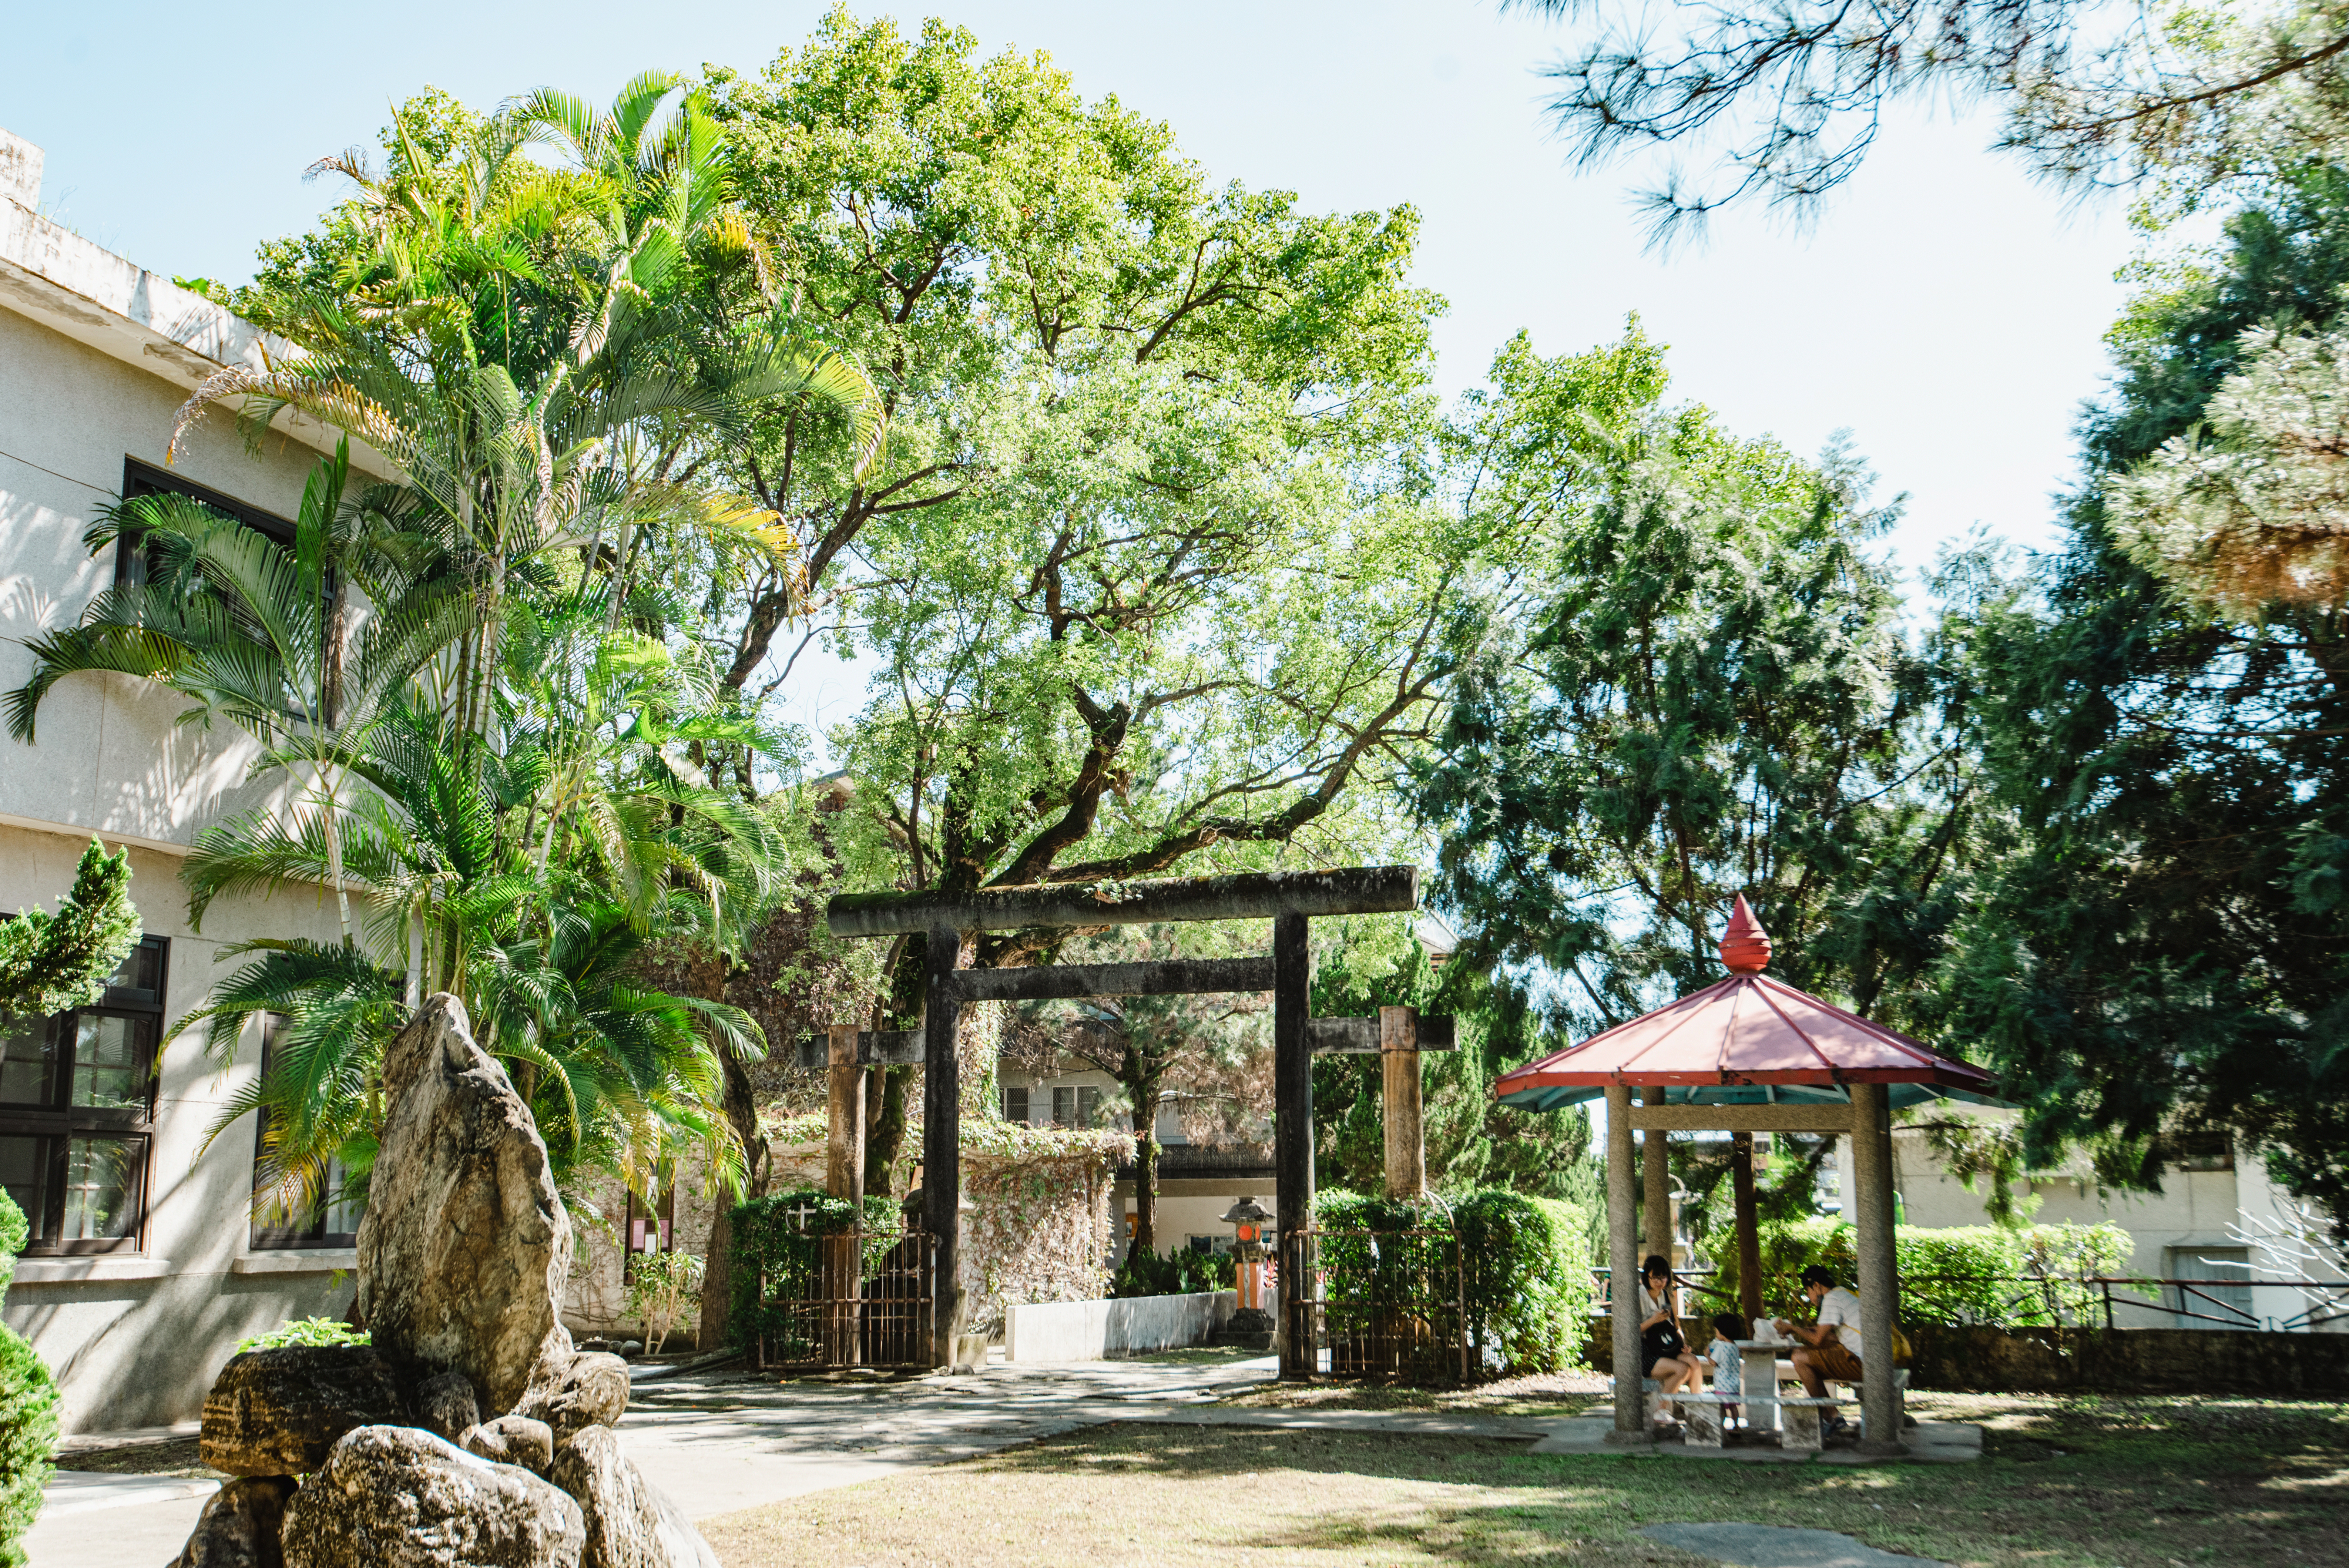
x: 1791, y: 97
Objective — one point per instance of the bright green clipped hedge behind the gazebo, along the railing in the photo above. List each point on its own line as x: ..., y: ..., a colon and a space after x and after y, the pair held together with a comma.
x: 1948, y: 1276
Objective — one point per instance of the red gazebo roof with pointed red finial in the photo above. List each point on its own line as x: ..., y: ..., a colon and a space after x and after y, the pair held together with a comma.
x: 1746, y: 1041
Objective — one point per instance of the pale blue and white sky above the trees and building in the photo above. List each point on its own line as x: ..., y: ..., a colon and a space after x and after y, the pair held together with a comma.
x: 1946, y: 311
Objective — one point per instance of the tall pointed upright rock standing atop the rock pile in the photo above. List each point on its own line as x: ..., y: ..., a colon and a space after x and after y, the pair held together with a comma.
x: 466, y: 1245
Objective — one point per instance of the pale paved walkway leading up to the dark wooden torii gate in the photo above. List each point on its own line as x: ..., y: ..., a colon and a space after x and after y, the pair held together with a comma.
x: 725, y: 1440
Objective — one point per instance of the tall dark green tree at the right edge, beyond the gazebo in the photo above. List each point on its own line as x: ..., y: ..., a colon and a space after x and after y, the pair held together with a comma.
x: 2174, y: 945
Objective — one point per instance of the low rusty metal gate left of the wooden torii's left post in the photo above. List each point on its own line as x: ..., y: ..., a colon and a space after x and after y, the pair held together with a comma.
x: 849, y: 1299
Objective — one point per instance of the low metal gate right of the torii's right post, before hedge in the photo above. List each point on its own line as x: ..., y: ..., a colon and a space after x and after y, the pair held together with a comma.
x: 1382, y: 1306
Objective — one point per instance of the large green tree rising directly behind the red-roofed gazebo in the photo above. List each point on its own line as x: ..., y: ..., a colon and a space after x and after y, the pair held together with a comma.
x: 1683, y: 682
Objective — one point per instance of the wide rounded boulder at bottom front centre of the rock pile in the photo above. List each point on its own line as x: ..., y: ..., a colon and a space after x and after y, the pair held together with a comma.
x: 403, y: 1499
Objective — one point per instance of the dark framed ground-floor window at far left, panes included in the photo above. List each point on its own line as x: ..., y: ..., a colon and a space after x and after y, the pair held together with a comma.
x: 79, y: 1114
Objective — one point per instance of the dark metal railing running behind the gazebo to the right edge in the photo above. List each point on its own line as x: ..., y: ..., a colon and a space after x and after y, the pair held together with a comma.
x: 2061, y: 1302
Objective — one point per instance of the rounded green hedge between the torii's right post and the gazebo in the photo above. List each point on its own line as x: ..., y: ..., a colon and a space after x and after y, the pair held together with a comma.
x: 1523, y: 1262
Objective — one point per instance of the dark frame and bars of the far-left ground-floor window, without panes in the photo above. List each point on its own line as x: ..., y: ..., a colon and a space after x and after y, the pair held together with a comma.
x: 60, y: 1123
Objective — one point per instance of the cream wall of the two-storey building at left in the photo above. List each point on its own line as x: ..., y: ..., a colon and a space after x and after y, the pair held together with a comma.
x: 88, y: 377
